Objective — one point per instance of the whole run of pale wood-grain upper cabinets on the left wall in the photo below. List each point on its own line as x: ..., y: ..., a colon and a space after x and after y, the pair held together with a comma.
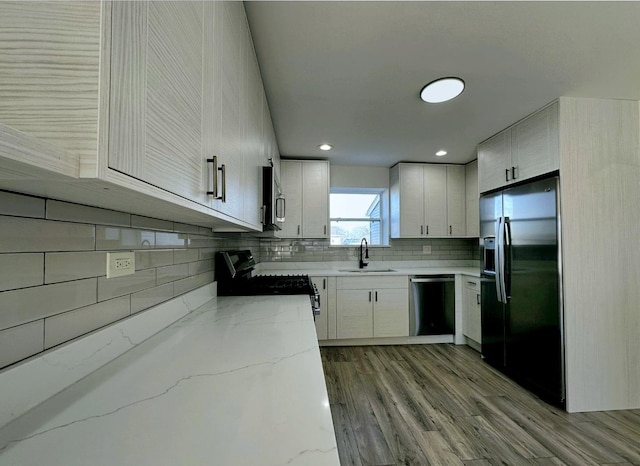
x: 135, y: 98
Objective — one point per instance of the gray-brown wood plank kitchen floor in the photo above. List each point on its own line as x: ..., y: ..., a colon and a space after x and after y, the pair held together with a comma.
x: 442, y: 405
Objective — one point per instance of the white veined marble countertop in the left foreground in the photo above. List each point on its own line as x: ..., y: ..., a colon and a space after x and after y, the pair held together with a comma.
x: 238, y: 381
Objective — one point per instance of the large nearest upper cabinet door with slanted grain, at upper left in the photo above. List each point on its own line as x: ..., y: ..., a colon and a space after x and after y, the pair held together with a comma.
x: 156, y: 94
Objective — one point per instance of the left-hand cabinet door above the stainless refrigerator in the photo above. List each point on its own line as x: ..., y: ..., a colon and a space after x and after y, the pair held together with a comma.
x: 494, y: 160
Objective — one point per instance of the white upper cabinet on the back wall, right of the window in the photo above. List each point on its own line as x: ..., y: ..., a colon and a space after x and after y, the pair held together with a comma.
x: 427, y: 200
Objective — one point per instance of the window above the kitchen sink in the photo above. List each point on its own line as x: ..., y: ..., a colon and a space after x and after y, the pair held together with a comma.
x: 355, y: 215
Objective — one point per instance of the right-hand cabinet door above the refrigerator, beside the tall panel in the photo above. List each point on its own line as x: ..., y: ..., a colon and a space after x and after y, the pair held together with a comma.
x: 535, y: 149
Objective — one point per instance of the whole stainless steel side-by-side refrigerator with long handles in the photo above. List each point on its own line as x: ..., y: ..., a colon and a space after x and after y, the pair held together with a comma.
x: 522, y: 320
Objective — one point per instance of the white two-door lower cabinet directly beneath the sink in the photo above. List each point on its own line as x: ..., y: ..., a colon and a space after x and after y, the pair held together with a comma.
x: 372, y: 307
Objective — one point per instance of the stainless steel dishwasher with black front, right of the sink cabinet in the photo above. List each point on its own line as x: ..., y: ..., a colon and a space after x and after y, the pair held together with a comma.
x: 432, y: 305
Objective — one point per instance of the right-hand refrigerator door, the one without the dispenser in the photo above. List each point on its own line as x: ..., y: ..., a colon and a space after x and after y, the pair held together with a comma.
x: 533, y: 343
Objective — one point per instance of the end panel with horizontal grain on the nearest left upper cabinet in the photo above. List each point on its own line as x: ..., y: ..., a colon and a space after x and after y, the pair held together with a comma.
x: 50, y: 104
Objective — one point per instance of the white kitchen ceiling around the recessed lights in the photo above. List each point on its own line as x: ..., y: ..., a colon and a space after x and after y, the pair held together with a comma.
x: 350, y: 73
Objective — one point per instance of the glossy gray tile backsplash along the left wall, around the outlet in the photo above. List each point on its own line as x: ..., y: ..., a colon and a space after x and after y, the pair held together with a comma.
x: 53, y: 285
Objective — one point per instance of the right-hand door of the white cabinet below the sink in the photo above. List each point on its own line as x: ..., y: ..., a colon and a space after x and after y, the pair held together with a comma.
x: 391, y: 313
